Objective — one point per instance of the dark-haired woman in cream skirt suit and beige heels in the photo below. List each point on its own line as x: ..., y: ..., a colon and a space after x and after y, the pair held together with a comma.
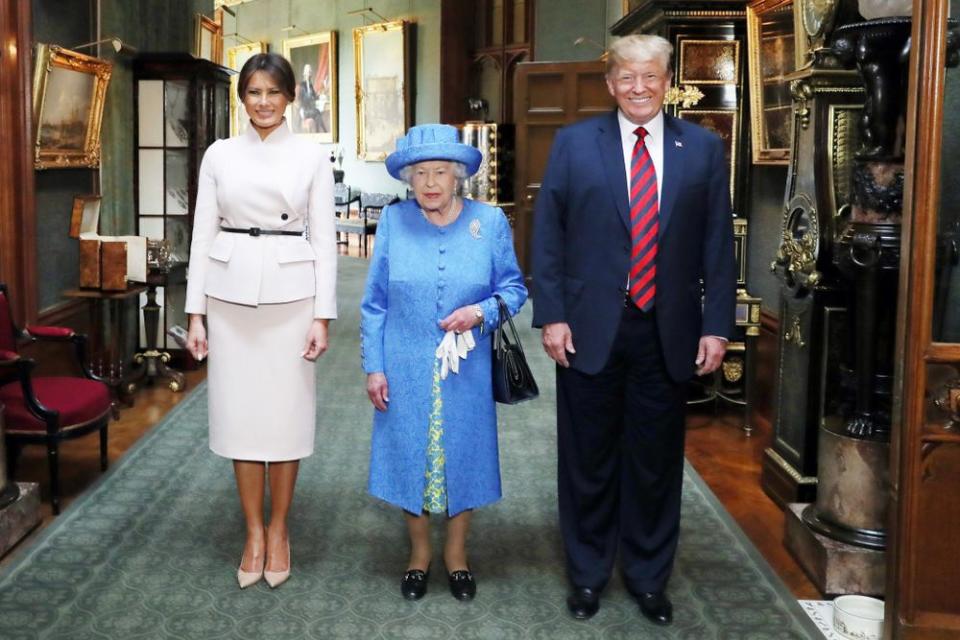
x: 263, y: 274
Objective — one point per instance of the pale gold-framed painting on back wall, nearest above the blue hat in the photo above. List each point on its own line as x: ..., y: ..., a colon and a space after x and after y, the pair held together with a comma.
x: 383, y: 95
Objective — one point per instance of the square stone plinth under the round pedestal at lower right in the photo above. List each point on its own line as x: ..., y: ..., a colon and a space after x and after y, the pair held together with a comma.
x: 833, y: 566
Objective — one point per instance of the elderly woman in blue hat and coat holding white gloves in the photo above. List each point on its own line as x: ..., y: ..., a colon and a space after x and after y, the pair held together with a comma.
x: 426, y: 320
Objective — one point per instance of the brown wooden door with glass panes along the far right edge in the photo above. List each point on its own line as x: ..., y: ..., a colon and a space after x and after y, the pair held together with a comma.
x: 923, y: 584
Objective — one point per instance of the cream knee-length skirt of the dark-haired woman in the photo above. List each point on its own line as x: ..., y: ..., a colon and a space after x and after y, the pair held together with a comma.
x: 262, y: 393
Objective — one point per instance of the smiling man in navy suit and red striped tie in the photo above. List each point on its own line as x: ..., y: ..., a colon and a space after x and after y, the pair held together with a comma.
x: 634, y: 287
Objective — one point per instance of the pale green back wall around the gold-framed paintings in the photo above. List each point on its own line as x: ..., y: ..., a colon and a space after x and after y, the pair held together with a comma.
x: 265, y: 19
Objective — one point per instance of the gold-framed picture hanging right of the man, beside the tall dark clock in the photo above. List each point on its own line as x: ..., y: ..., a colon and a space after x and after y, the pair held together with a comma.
x: 771, y: 51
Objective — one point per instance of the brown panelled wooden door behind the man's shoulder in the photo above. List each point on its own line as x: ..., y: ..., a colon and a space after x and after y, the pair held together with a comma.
x: 547, y: 96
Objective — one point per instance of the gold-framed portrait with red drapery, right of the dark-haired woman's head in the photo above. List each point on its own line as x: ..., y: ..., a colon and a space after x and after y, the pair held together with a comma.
x: 314, y: 60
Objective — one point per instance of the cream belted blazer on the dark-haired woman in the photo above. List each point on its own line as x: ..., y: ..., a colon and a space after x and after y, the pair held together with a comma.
x: 282, y: 182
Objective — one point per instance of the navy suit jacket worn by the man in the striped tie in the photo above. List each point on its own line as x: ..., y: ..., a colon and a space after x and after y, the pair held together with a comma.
x: 581, y: 242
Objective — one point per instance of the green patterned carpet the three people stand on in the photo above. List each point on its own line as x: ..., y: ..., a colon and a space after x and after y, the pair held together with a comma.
x: 151, y: 550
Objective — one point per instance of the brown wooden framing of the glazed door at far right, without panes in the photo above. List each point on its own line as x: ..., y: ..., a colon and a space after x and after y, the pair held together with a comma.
x: 909, y: 614
